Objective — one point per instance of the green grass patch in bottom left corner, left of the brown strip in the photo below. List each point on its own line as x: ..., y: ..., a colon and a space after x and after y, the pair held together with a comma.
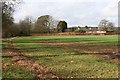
x: 17, y: 72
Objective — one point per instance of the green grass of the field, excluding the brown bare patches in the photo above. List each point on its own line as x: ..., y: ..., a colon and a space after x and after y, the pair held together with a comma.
x: 62, y: 60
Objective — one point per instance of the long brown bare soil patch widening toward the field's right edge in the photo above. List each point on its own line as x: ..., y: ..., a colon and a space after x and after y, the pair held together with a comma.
x: 106, y: 51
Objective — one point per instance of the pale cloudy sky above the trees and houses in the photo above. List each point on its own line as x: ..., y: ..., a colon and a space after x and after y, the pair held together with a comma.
x: 74, y: 12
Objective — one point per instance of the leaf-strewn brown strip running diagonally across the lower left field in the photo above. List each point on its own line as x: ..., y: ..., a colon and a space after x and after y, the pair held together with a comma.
x: 21, y: 60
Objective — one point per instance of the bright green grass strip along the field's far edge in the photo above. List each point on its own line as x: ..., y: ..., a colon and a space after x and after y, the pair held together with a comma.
x: 111, y: 39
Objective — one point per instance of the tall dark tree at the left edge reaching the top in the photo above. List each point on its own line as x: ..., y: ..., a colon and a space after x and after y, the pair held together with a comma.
x: 8, y: 9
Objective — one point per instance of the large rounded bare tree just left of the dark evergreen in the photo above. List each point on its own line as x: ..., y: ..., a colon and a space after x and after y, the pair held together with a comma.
x: 44, y: 24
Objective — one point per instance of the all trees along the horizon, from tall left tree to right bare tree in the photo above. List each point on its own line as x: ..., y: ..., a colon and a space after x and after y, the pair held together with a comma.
x: 44, y: 24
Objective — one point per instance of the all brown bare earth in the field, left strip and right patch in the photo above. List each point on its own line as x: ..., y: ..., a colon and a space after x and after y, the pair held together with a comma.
x: 42, y: 73
